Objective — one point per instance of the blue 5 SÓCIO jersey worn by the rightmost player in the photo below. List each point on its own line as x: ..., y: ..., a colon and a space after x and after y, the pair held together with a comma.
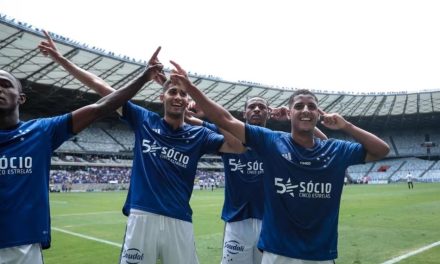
x: 303, y: 188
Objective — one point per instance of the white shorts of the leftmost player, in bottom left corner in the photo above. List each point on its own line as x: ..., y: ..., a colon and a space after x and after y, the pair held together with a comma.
x: 25, y: 254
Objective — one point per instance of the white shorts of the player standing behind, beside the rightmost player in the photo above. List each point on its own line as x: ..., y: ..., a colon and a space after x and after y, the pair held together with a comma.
x: 240, y: 242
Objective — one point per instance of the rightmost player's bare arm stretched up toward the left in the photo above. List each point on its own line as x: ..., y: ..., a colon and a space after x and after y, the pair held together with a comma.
x: 213, y: 111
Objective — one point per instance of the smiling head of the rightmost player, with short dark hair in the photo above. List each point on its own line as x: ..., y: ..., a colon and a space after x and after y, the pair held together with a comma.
x: 304, y: 113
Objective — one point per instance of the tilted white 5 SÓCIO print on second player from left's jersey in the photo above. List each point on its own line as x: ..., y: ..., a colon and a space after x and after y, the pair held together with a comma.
x: 172, y: 155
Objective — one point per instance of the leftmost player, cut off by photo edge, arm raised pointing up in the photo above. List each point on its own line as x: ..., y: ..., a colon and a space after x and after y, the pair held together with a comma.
x: 25, y: 154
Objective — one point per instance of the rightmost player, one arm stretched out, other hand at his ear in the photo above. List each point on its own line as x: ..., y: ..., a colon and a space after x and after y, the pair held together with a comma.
x: 303, y: 176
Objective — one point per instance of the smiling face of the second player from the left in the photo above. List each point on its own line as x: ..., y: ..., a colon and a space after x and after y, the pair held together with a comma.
x: 175, y: 101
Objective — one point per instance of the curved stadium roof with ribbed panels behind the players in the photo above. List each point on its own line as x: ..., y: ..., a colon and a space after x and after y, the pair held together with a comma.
x: 53, y: 90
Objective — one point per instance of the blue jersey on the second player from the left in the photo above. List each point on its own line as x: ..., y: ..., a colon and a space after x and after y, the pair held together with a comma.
x: 165, y: 163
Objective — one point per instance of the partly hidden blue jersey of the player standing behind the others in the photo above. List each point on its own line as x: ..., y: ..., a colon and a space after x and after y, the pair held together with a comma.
x: 244, y: 194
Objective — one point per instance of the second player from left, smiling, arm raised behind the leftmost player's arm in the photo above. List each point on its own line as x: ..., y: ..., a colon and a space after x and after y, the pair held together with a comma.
x: 166, y: 154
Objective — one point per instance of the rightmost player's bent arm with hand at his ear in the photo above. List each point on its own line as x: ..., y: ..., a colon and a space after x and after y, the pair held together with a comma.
x: 376, y: 147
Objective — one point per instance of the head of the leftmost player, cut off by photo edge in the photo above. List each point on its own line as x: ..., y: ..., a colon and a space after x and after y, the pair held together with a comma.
x: 10, y: 96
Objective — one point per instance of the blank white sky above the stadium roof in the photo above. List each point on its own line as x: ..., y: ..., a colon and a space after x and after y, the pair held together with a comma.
x: 358, y: 46
